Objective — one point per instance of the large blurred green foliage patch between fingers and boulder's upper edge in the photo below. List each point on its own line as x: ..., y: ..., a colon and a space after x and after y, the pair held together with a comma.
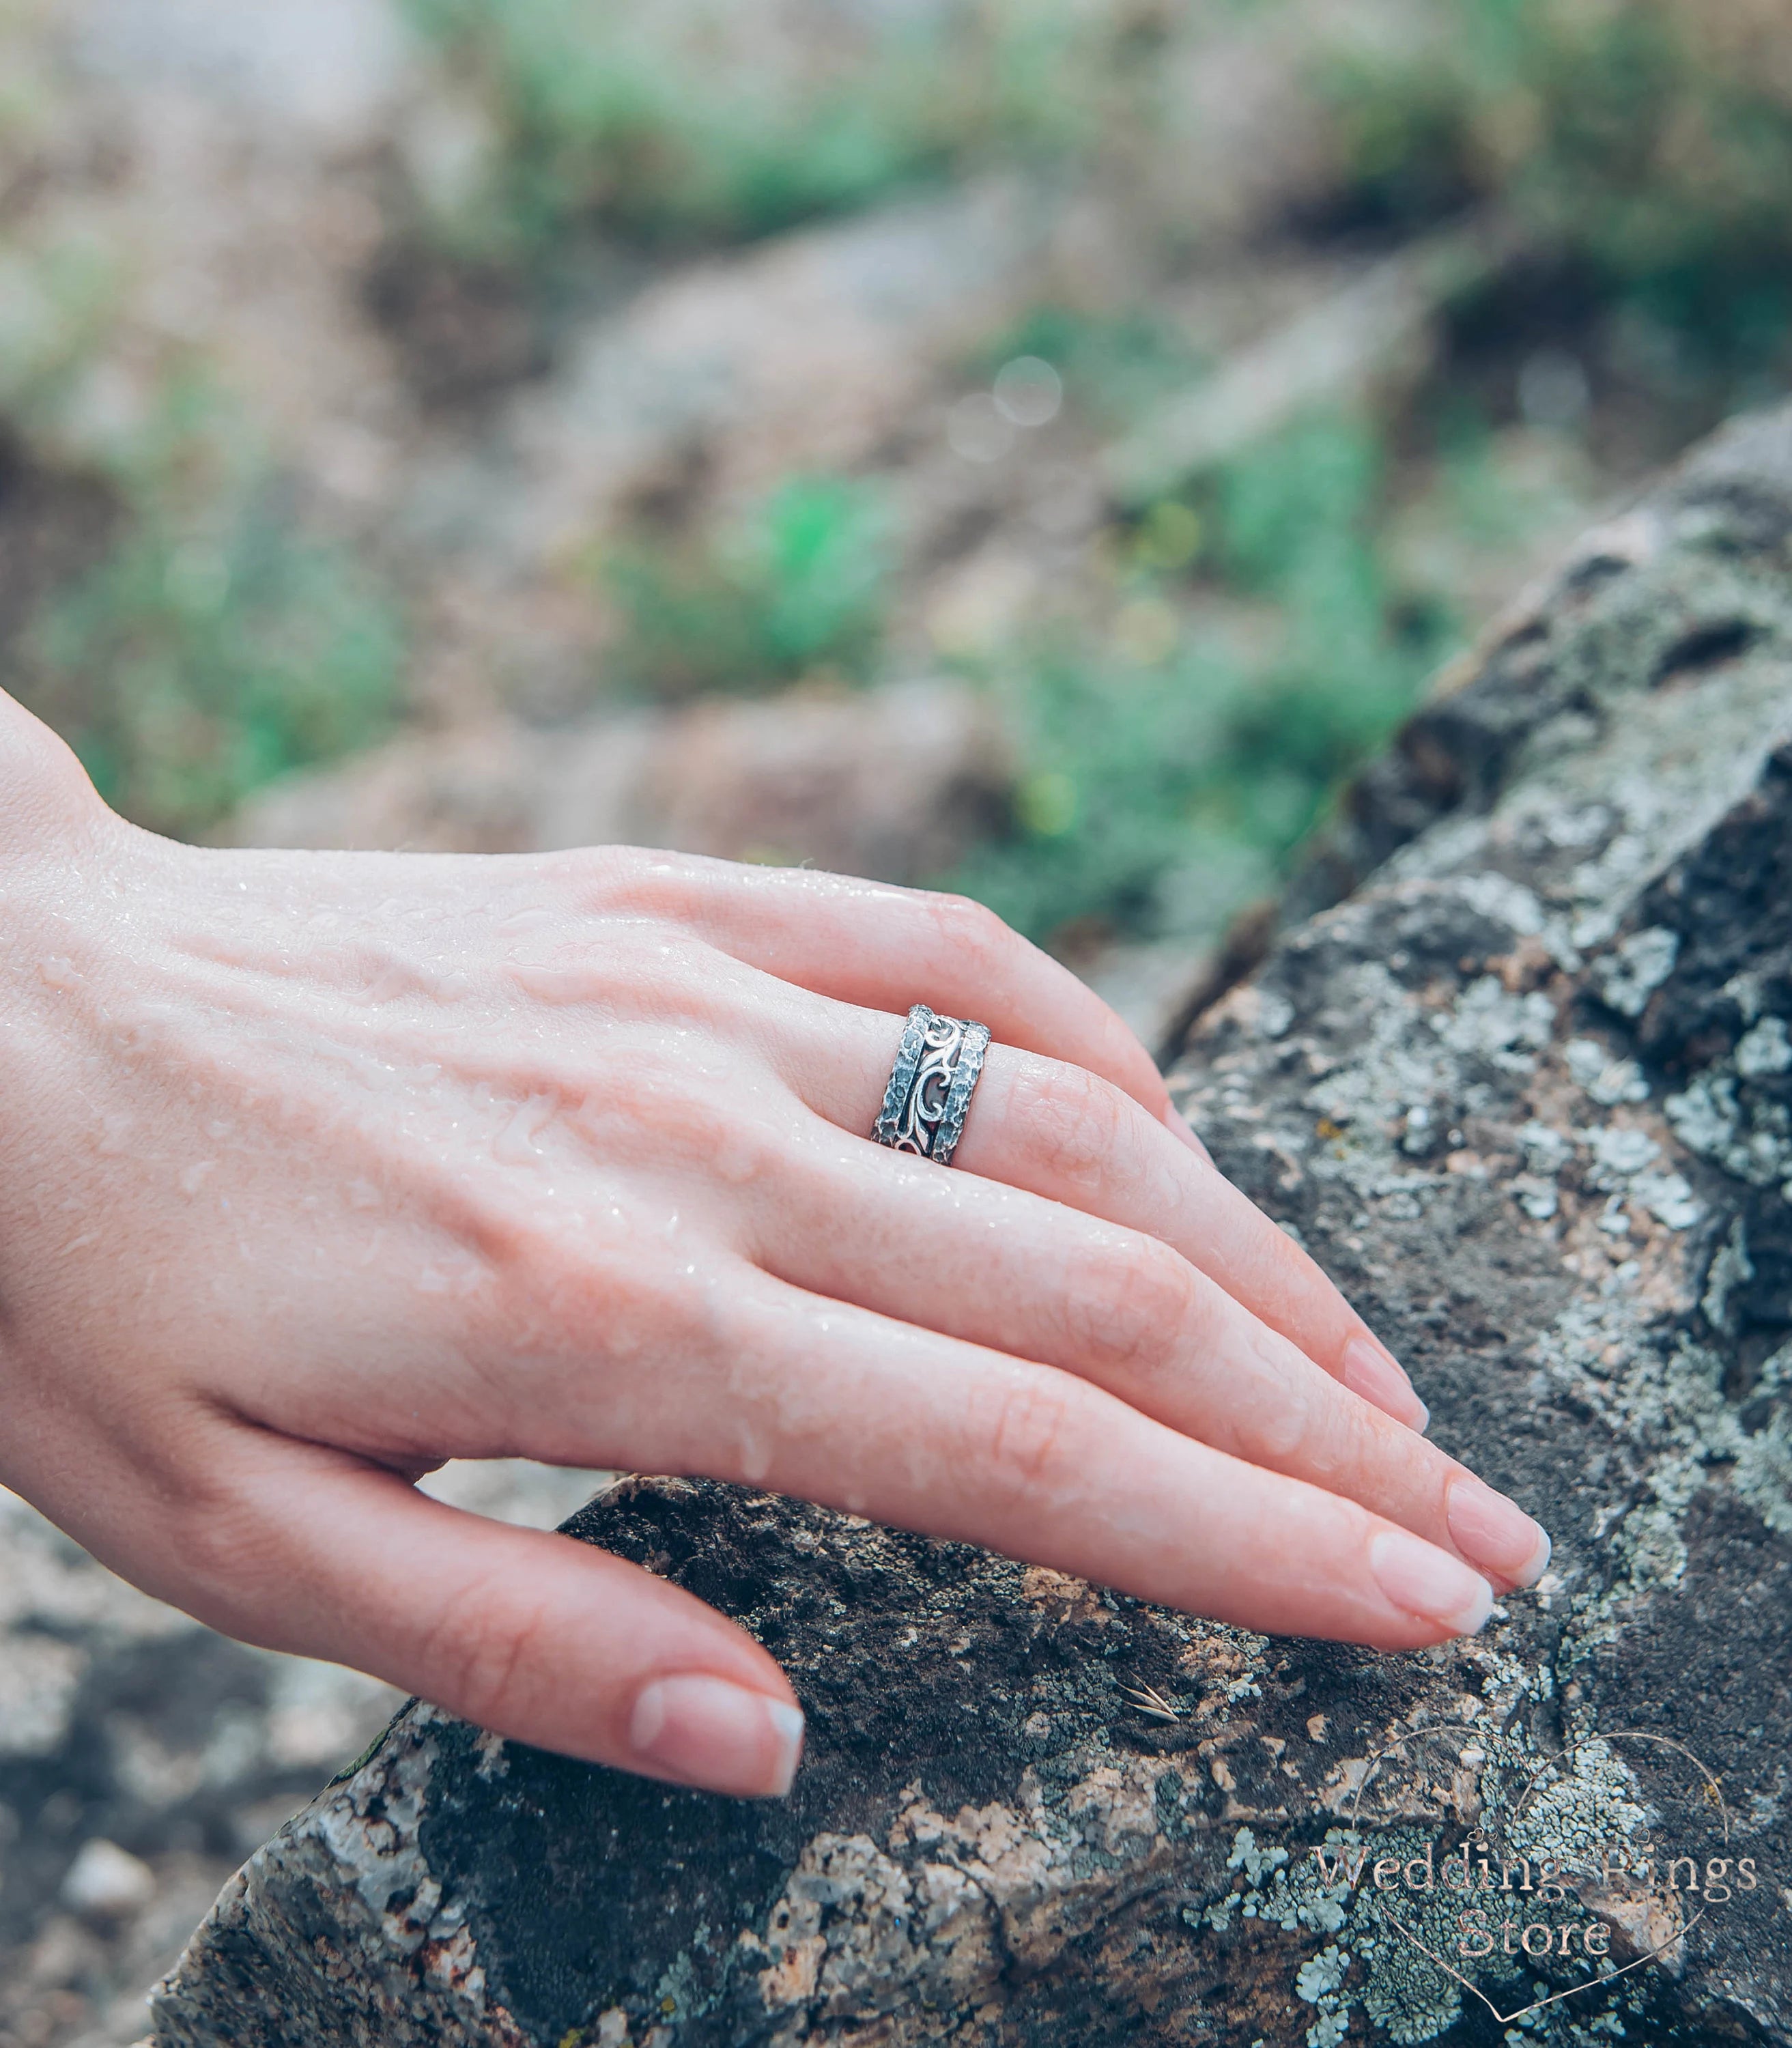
x: 1162, y: 794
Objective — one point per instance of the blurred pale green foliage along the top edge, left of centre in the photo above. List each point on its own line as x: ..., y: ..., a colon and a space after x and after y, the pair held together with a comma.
x: 697, y: 122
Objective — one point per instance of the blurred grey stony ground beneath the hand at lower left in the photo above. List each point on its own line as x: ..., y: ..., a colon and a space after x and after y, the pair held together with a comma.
x: 144, y: 1756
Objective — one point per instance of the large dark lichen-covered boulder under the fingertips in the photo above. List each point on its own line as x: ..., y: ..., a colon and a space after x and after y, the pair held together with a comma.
x: 1525, y: 1086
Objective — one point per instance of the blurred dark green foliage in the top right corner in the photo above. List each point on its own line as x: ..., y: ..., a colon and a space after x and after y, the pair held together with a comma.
x: 1644, y: 144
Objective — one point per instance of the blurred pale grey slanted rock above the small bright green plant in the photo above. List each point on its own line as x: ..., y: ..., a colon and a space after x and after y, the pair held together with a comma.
x: 804, y: 353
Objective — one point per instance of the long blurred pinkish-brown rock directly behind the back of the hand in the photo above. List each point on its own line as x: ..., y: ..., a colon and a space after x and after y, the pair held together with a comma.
x: 892, y: 783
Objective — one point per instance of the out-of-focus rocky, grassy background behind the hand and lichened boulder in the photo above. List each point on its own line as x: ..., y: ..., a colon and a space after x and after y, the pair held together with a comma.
x: 1035, y: 447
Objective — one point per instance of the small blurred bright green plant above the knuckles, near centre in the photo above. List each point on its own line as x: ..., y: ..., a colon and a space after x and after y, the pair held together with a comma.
x: 792, y: 589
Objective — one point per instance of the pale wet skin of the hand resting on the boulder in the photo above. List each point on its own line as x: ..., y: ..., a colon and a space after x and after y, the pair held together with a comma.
x: 323, y: 1168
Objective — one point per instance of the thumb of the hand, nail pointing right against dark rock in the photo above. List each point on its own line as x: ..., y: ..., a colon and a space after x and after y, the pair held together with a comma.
x: 521, y: 1631
